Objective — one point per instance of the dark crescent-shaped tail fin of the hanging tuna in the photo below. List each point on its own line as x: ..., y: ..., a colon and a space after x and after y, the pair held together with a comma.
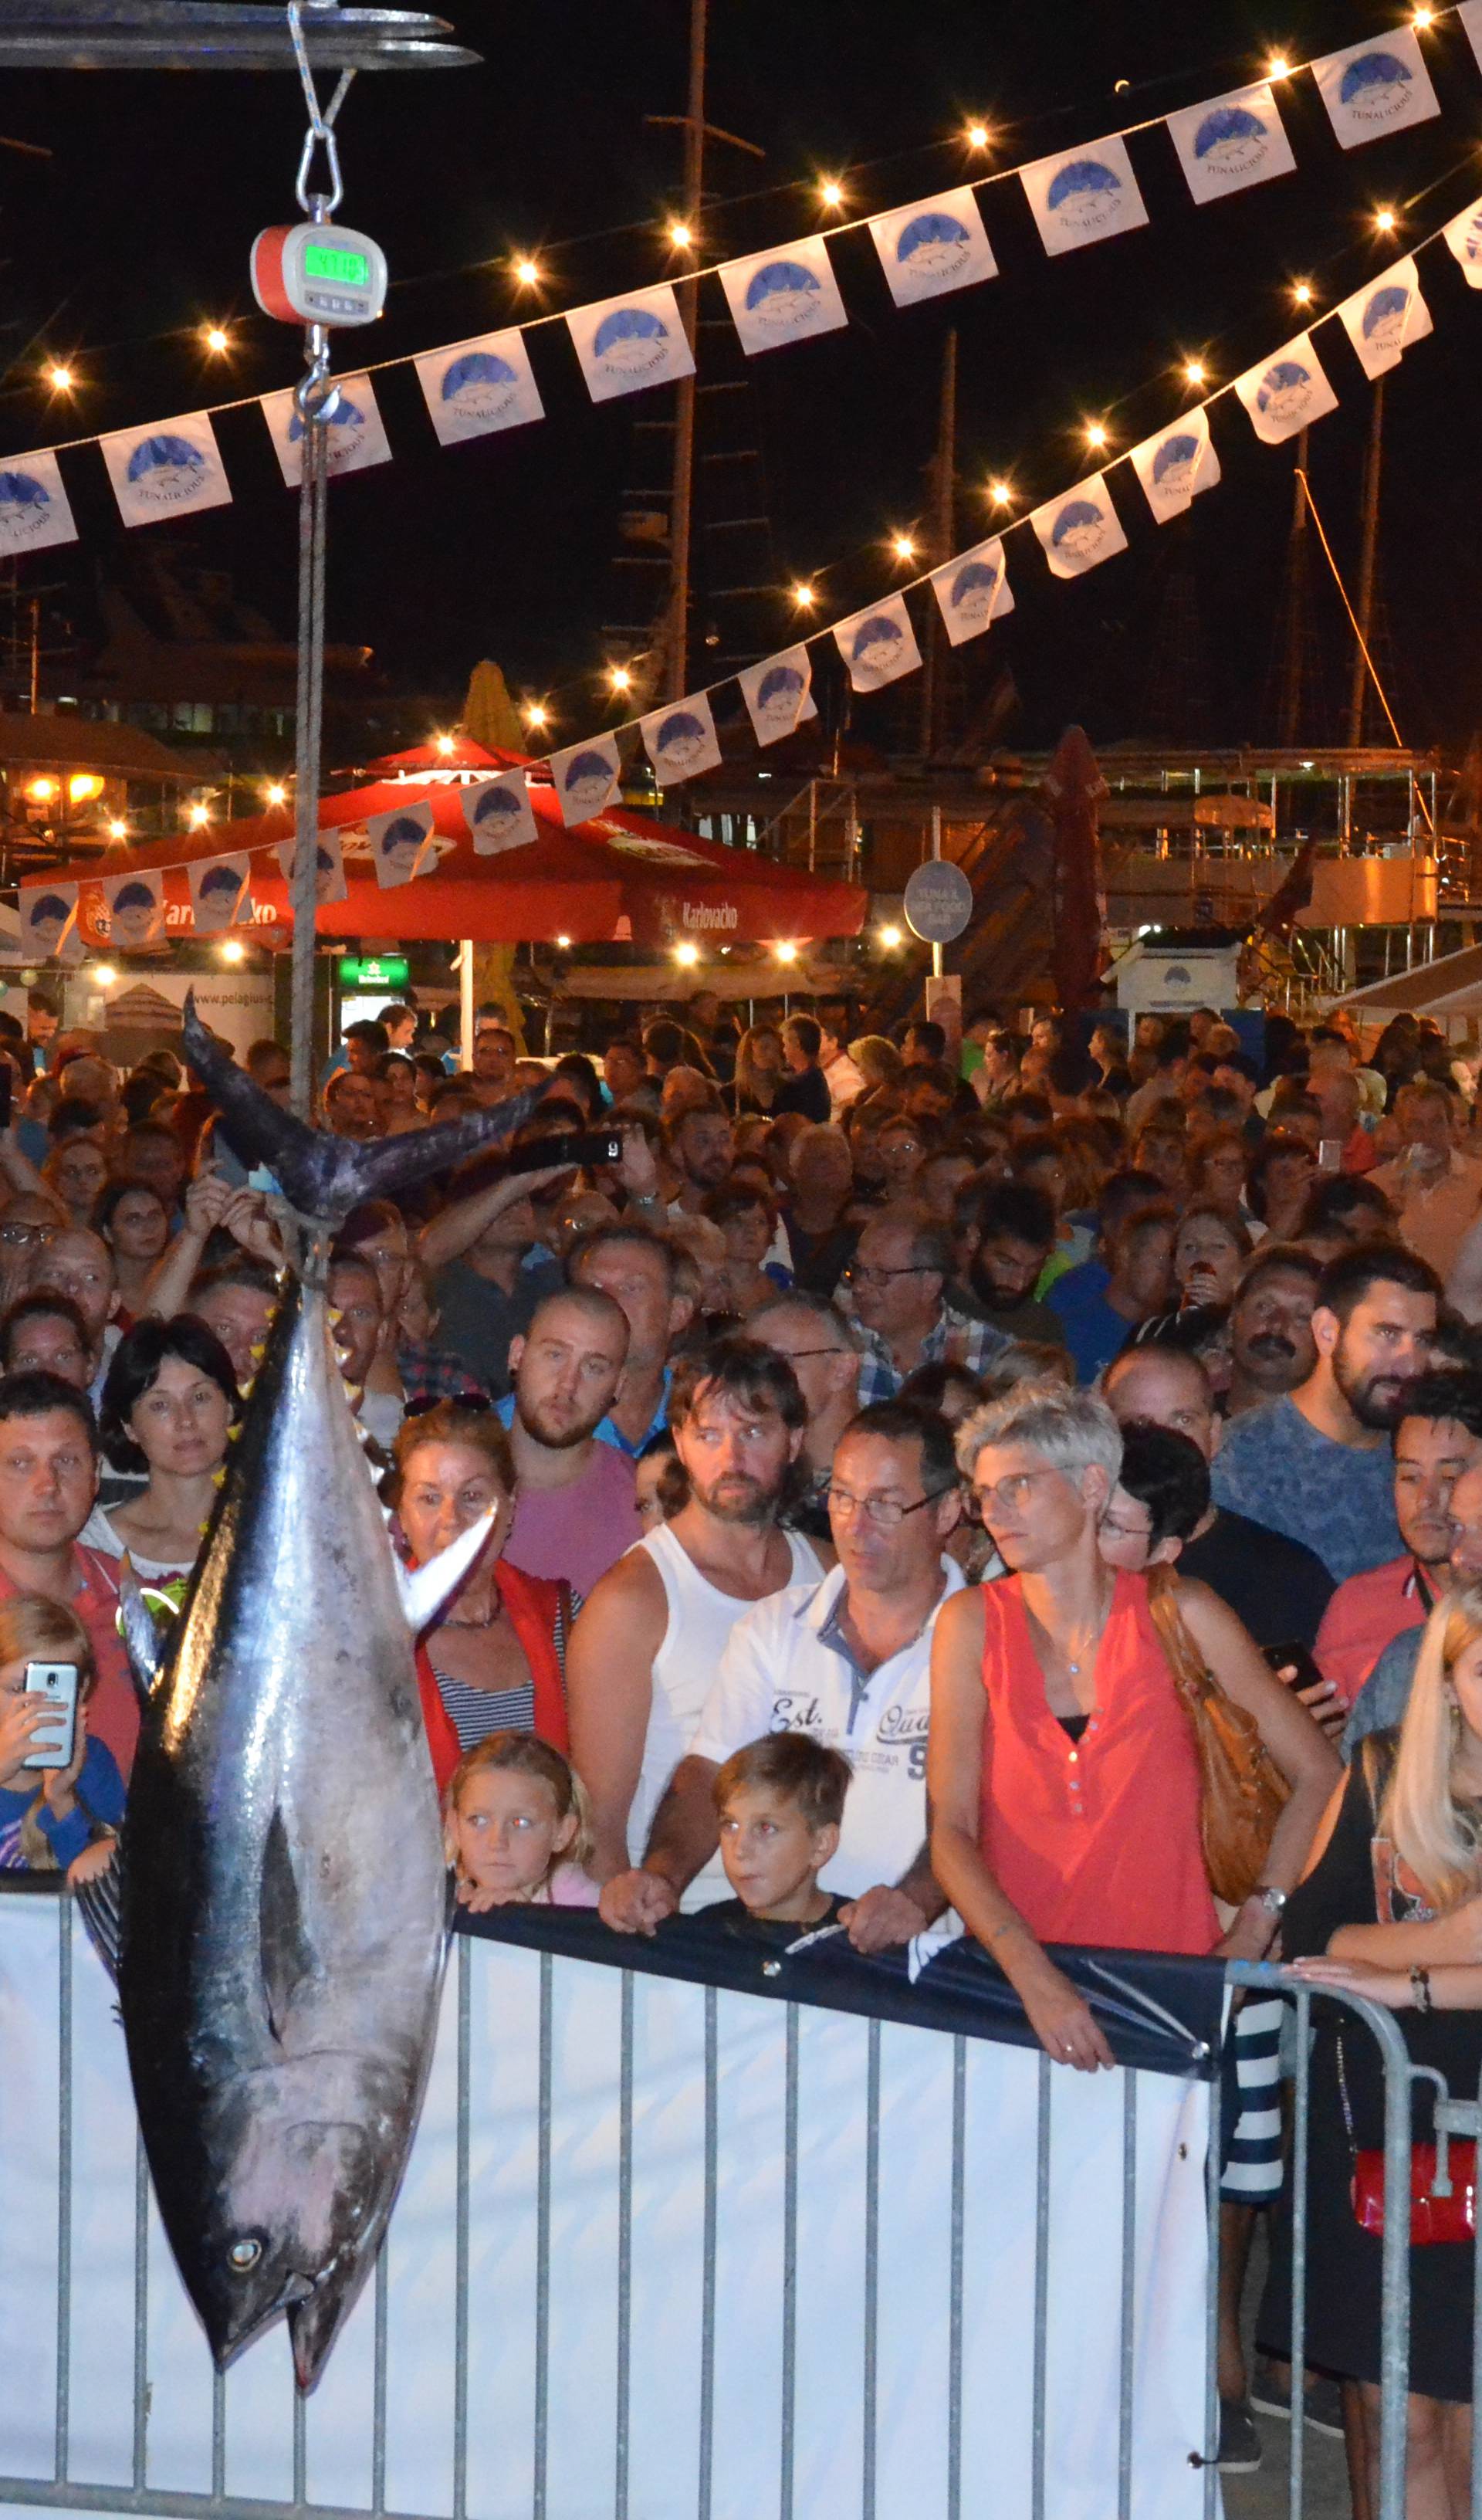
x: 324, y: 1176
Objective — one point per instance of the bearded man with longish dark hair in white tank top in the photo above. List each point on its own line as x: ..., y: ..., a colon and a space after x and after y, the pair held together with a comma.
x: 652, y: 1637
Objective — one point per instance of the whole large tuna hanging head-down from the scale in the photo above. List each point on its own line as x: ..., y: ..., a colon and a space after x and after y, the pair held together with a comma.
x: 281, y: 1884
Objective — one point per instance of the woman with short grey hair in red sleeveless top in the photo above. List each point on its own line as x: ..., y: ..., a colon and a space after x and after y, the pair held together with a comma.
x: 1062, y: 1765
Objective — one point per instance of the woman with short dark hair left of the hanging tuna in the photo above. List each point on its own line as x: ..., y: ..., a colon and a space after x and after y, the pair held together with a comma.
x: 168, y: 1410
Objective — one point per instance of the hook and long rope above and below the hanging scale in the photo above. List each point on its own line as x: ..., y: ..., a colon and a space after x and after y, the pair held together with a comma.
x: 316, y: 399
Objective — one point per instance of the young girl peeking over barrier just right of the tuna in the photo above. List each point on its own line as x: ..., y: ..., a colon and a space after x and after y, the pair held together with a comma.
x: 518, y: 1828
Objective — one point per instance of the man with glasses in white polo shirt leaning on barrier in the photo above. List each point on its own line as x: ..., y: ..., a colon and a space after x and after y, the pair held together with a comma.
x: 846, y: 1662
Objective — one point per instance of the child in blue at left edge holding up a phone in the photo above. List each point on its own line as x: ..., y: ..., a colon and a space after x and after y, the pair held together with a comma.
x: 52, y: 1818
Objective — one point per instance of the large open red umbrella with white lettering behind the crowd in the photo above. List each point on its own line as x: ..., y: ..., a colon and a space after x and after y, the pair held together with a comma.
x: 614, y: 878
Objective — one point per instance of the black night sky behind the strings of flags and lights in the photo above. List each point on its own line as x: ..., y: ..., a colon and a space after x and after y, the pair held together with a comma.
x: 140, y: 231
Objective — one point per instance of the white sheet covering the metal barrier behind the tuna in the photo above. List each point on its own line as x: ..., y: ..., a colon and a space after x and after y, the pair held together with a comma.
x: 669, y: 2126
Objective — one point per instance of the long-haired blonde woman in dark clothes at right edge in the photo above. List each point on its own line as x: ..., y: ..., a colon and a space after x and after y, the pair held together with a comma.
x: 1393, y: 1909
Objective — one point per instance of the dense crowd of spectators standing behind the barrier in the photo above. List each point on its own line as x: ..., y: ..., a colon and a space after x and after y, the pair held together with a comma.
x: 873, y: 1450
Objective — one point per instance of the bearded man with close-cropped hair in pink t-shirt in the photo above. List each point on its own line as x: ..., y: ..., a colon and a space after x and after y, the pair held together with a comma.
x: 576, y: 1503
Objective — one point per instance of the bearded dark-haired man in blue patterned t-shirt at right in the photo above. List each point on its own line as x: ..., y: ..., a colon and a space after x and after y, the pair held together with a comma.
x: 1317, y: 1463
